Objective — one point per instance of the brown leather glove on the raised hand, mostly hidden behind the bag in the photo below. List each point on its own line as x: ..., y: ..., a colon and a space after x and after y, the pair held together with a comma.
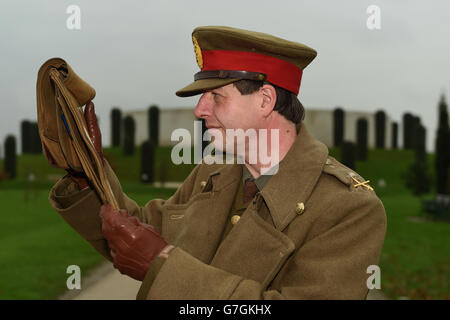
x: 96, y: 137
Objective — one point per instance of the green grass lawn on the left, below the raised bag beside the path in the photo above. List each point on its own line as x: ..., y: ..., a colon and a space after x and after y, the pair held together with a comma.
x: 37, y: 246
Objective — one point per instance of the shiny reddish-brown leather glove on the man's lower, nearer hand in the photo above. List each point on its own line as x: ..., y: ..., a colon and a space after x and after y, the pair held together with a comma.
x: 133, y: 244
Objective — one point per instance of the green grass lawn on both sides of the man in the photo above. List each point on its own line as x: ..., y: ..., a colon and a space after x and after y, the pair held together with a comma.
x: 37, y: 246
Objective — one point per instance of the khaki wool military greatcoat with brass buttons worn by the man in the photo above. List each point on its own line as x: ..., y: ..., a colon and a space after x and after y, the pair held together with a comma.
x: 275, y: 251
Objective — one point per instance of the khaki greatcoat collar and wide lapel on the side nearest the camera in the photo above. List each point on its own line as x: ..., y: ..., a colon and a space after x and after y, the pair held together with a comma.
x: 254, y: 248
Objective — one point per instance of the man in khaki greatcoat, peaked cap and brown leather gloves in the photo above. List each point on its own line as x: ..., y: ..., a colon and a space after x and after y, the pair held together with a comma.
x: 308, y: 231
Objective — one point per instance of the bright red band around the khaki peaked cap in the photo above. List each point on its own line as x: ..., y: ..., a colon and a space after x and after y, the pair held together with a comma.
x: 279, y: 72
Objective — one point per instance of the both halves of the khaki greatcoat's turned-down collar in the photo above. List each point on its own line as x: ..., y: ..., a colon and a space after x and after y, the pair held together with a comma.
x: 293, y: 183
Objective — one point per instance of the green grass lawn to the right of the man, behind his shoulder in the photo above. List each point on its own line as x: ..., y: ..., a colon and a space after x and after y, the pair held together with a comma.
x: 415, y: 260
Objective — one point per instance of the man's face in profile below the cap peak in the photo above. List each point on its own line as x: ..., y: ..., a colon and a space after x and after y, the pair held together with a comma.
x: 226, y: 108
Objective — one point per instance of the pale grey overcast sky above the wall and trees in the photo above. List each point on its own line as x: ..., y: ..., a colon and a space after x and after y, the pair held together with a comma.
x: 137, y: 53
